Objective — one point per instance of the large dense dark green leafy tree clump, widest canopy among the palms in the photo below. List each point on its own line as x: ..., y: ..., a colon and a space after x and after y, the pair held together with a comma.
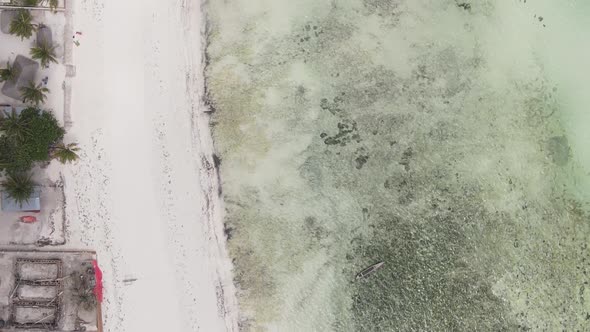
x: 27, y: 139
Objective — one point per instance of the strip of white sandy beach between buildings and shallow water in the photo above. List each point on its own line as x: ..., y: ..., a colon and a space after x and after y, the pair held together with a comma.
x: 142, y: 194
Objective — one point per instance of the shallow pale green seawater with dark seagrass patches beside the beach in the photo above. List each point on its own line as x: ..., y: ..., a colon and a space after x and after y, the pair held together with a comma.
x: 447, y: 139
